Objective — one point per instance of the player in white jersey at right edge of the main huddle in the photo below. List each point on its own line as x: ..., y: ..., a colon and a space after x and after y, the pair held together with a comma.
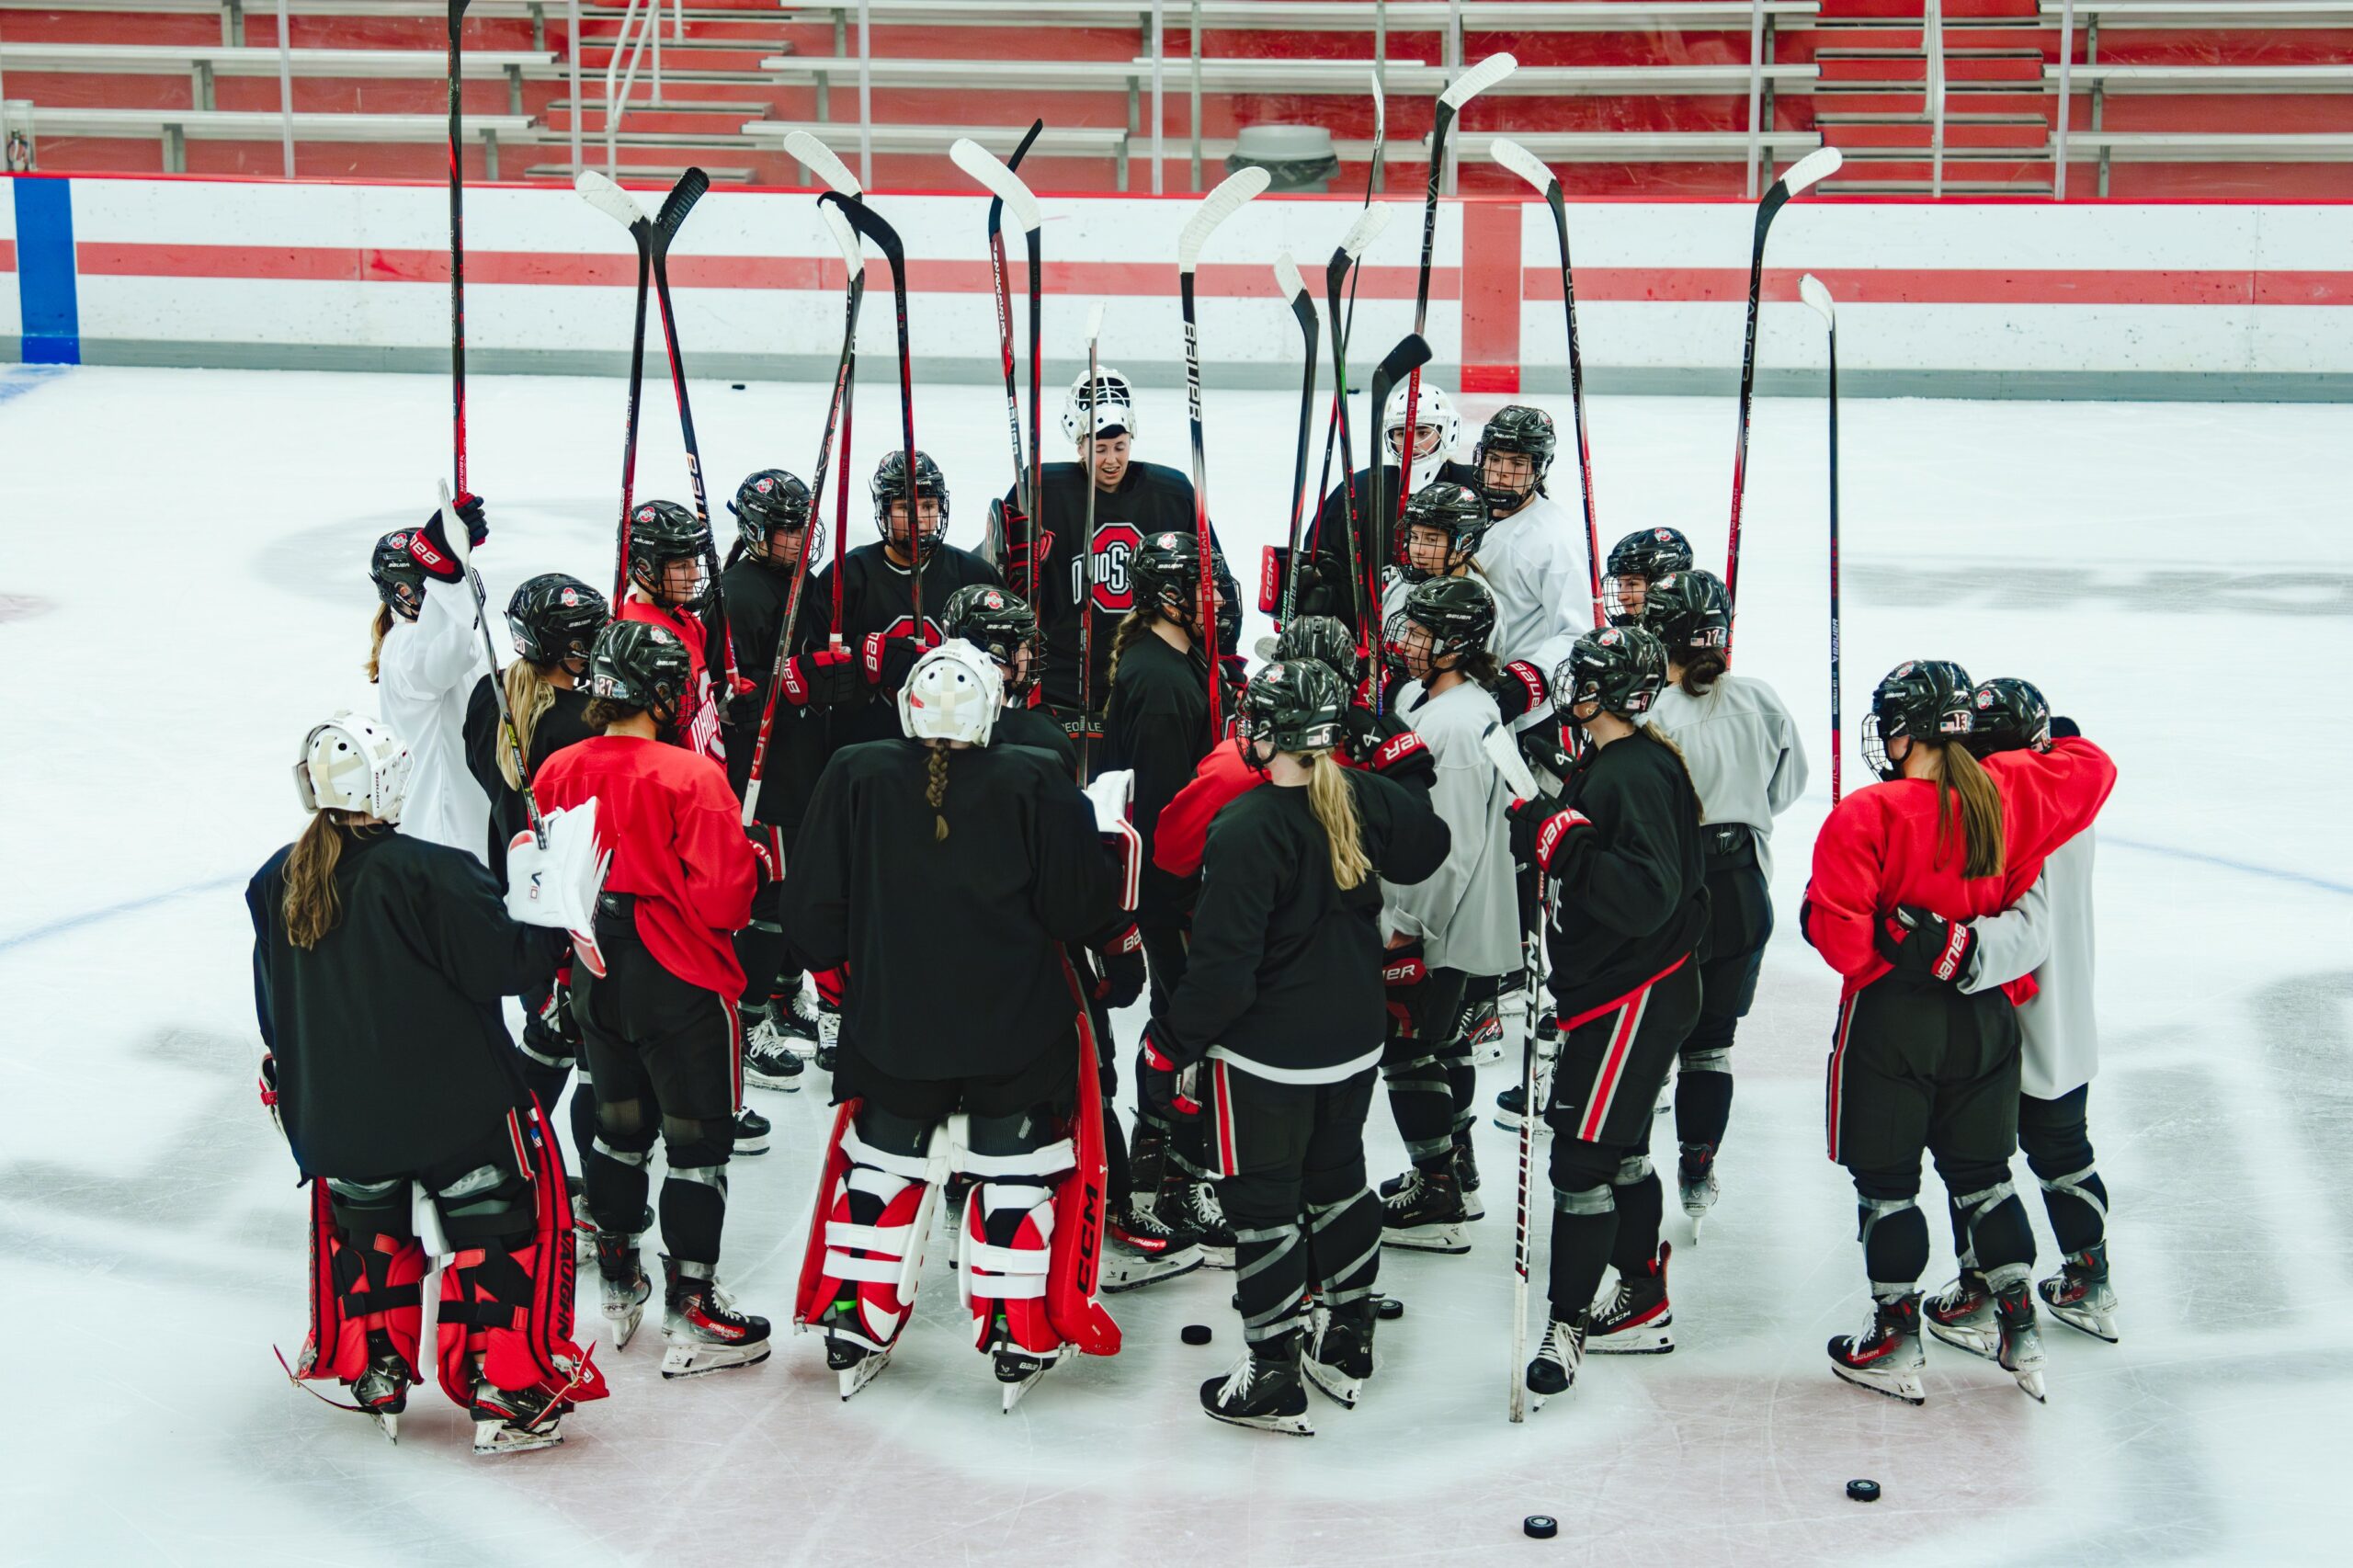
x: 1749, y: 766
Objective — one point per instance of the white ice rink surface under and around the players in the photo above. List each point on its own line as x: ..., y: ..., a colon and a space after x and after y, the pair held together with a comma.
x: 182, y: 594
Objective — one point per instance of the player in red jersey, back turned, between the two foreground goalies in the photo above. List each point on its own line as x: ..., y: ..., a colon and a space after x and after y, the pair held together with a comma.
x: 655, y: 992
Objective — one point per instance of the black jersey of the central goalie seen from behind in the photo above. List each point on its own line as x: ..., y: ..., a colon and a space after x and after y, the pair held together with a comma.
x: 954, y: 945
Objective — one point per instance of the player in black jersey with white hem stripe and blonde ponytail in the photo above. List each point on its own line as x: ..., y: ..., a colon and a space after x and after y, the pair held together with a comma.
x: 1281, y: 1002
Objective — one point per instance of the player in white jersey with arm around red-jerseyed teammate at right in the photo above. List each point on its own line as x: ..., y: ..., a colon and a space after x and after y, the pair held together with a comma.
x: 2051, y: 936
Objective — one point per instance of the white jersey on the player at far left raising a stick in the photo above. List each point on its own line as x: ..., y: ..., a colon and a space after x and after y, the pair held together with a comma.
x: 425, y: 675
